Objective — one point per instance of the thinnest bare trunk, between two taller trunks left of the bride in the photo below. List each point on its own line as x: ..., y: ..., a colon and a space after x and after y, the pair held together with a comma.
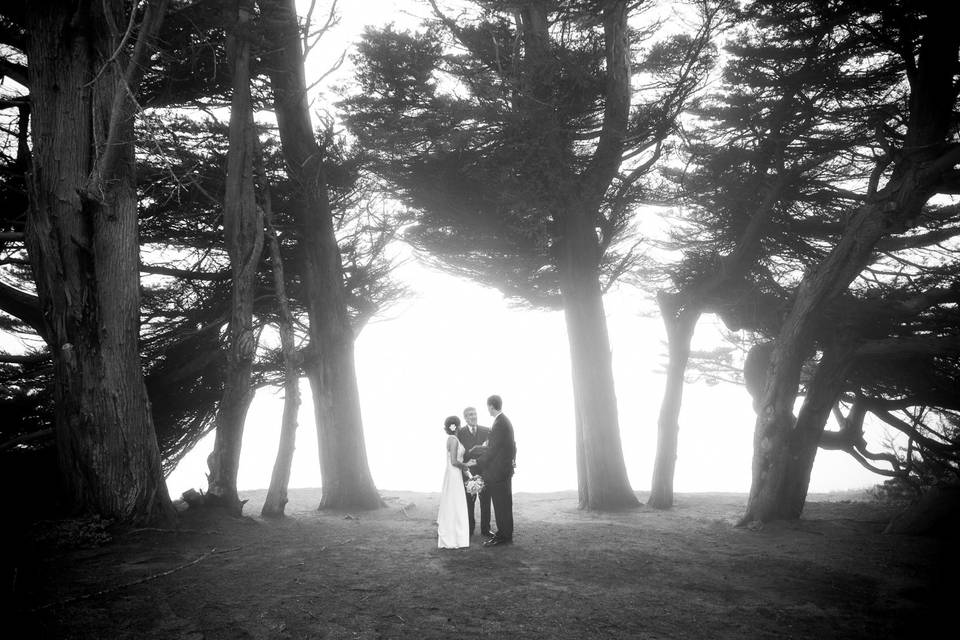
x: 276, y: 500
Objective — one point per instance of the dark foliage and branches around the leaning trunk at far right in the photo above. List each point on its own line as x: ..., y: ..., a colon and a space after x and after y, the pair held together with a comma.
x: 813, y: 119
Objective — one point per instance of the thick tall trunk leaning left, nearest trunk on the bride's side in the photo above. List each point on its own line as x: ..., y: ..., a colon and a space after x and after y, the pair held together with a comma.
x: 345, y: 474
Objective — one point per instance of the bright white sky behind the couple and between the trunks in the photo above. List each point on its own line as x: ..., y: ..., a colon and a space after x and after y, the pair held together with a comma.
x: 454, y: 343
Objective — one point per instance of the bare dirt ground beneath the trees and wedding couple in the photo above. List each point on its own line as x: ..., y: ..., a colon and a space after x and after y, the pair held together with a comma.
x: 679, y: 574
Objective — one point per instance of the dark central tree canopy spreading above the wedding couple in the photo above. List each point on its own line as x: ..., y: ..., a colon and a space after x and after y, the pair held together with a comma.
x: 490, y: 141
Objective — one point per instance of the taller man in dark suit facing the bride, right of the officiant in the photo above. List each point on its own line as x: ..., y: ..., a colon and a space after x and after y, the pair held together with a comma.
x: 496, y: 466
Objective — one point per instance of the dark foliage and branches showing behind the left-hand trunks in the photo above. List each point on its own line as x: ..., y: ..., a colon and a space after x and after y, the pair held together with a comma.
x: 181, y: 151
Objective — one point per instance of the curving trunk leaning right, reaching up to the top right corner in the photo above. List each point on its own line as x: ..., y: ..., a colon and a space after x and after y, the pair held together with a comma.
x: 925, y: 160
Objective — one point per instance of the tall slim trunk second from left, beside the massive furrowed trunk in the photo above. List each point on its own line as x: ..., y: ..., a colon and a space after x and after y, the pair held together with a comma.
x: 243, y: 236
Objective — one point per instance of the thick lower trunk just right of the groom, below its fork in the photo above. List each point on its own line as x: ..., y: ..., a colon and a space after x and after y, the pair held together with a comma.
x: 602, y: 473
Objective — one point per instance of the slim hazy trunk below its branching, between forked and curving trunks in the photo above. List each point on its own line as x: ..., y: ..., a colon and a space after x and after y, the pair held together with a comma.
x: 680, y: 324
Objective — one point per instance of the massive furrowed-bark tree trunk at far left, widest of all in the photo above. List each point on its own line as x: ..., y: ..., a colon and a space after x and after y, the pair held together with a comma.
x: 81, y: 236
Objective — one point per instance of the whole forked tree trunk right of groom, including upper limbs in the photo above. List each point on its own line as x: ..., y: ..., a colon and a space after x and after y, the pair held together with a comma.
x: 601, y: 470
